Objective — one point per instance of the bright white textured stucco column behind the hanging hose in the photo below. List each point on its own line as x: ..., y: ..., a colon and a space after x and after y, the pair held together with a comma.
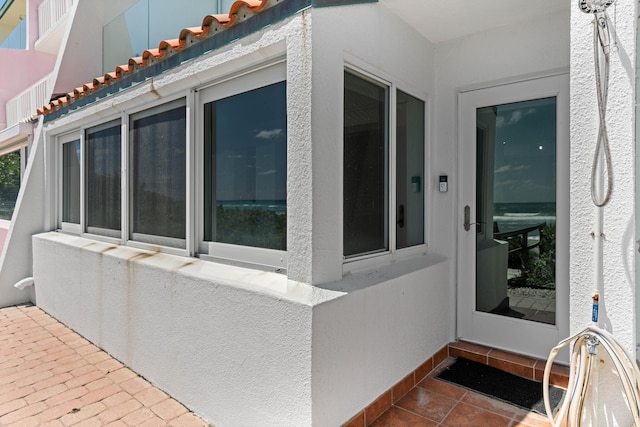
x: 602, y: 239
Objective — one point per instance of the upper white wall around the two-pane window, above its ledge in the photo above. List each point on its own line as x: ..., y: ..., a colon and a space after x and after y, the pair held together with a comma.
x: 371, y: 38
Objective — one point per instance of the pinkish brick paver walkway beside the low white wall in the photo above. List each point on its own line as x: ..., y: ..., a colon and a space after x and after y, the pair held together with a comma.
x: 51, y: 376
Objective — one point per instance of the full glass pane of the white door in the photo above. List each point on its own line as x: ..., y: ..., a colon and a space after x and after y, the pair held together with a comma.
x: 516, y: 199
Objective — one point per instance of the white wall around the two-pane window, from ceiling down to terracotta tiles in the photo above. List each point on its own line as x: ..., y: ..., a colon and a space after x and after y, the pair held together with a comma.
x: 394, y: 317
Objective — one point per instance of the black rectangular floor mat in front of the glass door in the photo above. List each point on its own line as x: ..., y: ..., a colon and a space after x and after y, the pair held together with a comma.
x: 501, y: 385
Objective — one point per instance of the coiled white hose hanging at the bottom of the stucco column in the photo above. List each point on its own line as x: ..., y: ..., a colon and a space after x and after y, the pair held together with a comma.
x: 584, y: 345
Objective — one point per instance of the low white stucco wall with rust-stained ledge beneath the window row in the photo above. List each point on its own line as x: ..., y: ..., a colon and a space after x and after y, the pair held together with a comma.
x: 232, y: 344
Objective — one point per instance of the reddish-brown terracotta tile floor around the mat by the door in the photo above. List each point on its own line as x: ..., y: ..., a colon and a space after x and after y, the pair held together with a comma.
x: 431, y: 402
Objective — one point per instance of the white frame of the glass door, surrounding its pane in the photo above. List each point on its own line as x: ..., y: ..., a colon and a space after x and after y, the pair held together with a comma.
x: 511, y: 334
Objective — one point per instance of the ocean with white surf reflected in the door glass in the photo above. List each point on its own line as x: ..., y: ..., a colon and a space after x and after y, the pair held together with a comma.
x: 514, y: 216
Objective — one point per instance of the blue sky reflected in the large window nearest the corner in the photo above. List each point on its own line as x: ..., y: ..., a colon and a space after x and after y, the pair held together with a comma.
x: 251, y: 149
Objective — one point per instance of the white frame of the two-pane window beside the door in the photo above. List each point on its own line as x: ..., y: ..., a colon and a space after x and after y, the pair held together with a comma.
x: 393, y: 86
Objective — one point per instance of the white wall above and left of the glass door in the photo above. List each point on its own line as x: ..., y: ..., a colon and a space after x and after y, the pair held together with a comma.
x: 501, y: 55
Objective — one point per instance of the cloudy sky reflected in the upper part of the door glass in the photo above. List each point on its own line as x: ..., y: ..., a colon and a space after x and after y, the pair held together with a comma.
x: 525, y: 156
